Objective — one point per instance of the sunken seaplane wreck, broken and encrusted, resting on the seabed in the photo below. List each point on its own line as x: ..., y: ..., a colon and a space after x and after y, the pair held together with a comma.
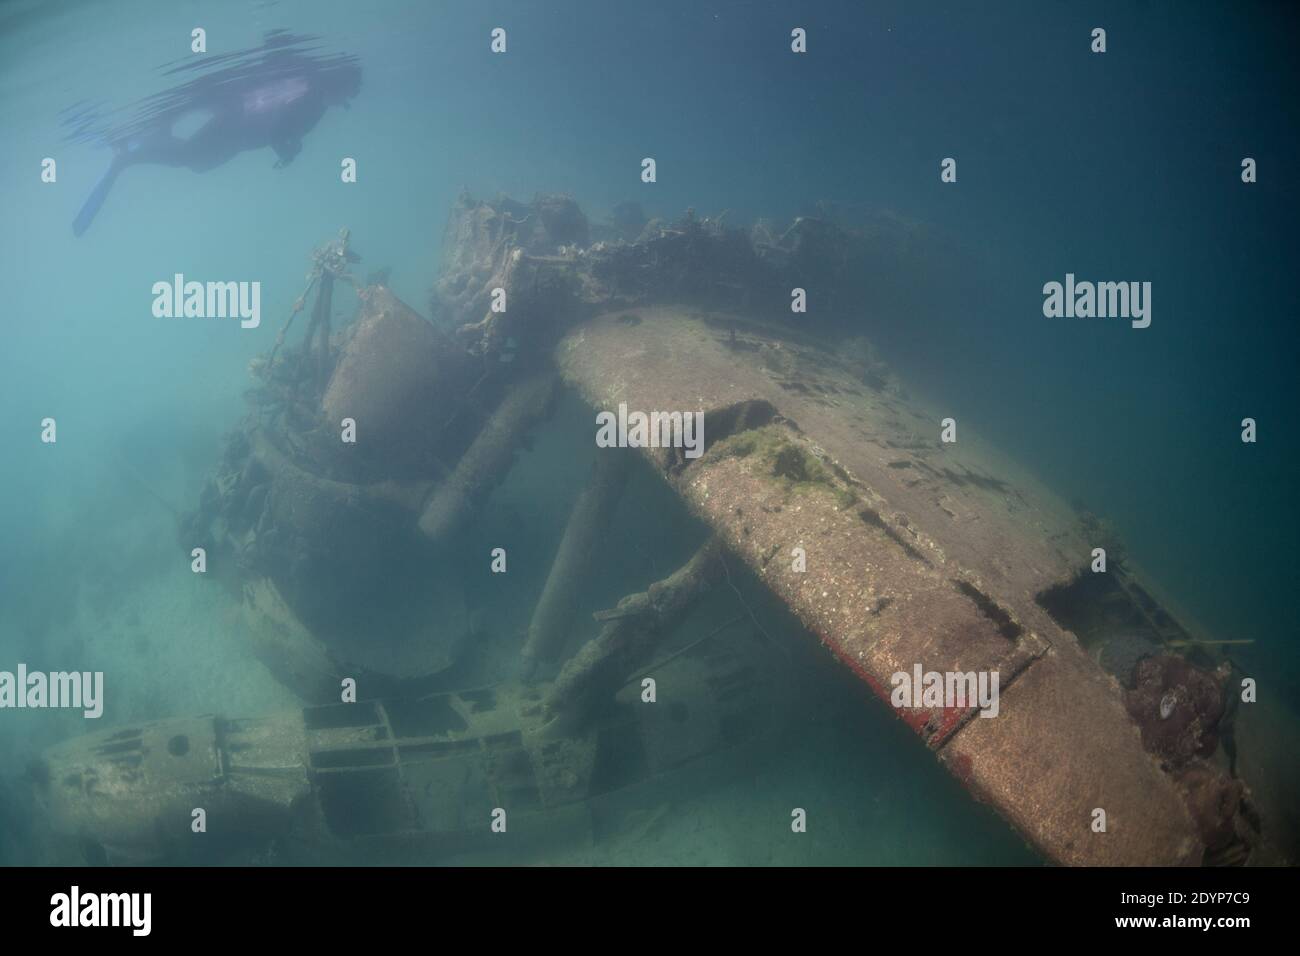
x: 820, y: 473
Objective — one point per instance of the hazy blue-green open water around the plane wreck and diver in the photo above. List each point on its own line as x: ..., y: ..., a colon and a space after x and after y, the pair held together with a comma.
x: 1124, y: 166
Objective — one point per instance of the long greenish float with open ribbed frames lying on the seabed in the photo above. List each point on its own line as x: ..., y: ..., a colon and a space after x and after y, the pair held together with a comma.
x: 391, y: 780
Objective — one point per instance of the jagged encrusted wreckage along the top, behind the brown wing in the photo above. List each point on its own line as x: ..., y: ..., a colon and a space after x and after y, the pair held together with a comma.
x: 557, y: 270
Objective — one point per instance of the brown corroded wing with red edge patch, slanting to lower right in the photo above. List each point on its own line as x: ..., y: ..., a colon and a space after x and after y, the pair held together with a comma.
x: 918, y: 552
